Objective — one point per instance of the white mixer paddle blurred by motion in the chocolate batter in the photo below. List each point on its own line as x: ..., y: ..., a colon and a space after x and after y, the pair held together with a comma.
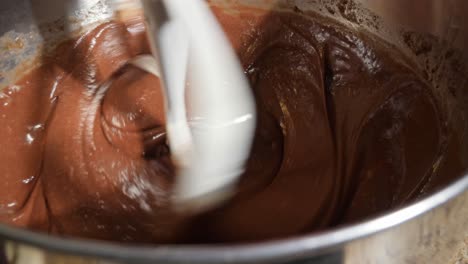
x: 210, y: 140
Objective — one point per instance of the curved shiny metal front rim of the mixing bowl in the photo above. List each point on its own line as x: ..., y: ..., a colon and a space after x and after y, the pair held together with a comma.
x: 305, y: 245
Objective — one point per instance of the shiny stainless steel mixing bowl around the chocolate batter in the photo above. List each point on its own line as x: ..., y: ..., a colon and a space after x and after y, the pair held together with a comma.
x: 428, y: 231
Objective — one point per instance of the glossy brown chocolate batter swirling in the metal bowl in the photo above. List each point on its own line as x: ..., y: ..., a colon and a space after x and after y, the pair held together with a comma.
x: 347, y: 129
